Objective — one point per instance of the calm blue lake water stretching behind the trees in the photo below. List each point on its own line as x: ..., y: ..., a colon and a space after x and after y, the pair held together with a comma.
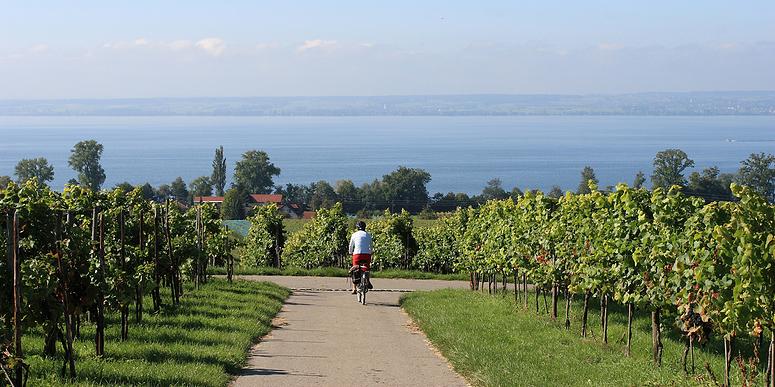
x: 461, y: 153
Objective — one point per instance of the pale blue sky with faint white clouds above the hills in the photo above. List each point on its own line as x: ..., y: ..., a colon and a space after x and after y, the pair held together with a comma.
x: 123, y: 49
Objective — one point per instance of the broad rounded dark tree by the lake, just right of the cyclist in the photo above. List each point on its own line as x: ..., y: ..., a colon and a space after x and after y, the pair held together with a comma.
x: 406, y: 188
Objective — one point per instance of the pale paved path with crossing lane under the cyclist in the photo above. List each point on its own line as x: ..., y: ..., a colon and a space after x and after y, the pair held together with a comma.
x: 324, y: 337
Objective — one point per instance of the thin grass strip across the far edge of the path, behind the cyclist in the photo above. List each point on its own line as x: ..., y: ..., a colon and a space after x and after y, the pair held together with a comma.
x: 336, y: 272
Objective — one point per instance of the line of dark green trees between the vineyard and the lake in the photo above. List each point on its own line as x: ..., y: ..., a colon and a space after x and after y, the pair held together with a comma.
x: 404, y: 188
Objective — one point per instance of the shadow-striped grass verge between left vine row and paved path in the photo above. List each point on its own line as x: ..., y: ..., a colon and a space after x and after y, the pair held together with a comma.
x: 202, y: 342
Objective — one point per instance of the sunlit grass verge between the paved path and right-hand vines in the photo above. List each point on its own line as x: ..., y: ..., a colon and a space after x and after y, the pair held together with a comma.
x: 492, y: 342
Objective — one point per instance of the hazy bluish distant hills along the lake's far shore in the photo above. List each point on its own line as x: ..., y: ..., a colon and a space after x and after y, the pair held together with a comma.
x: 690, y: 103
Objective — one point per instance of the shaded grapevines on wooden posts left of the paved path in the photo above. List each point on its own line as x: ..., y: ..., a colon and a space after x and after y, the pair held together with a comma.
x: 75, y: 257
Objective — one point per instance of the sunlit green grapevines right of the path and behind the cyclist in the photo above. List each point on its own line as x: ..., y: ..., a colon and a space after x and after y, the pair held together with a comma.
x: 706, y: 268
